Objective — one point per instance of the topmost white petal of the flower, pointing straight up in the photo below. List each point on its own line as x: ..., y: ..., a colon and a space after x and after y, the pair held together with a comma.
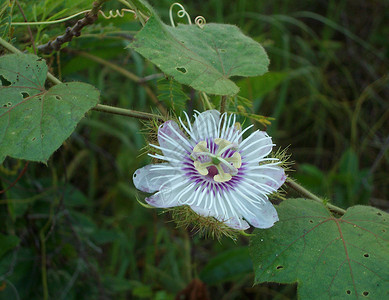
x: 206, y: 125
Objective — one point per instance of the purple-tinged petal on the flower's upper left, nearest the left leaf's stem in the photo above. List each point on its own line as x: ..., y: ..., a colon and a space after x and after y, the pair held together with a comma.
x: 172, y: 138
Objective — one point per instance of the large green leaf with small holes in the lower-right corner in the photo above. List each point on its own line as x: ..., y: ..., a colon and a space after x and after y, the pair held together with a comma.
x: 329, y: 258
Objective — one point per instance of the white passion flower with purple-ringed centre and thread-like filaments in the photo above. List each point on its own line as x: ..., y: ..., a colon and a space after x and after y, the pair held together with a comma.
x: 214, y: 171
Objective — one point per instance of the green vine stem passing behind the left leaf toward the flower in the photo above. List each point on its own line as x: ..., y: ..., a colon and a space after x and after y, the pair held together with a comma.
x: 98, y: 107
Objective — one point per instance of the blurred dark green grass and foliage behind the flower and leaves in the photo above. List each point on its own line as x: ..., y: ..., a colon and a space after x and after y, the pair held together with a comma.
x: 83, y: 235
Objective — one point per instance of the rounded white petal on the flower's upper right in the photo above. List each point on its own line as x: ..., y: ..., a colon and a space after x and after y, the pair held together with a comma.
x: 256, y: 146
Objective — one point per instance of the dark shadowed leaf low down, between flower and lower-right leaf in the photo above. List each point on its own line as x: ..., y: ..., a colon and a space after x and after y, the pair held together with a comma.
x: 229, y: 265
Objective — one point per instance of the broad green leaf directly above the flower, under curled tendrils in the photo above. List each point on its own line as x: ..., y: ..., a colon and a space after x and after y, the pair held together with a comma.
x: 203, y: 58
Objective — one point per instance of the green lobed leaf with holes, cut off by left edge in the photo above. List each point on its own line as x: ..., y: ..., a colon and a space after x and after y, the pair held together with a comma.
x: 34, y: 122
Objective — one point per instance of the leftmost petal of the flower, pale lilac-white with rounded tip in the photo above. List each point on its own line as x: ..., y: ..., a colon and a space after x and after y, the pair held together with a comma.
x: 151, y: 178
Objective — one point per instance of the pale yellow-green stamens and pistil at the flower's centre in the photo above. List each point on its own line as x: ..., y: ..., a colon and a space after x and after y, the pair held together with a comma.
x: 220, y: 167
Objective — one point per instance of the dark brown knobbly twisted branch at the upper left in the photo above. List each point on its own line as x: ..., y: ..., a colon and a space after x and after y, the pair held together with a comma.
x: 90, y: 18
